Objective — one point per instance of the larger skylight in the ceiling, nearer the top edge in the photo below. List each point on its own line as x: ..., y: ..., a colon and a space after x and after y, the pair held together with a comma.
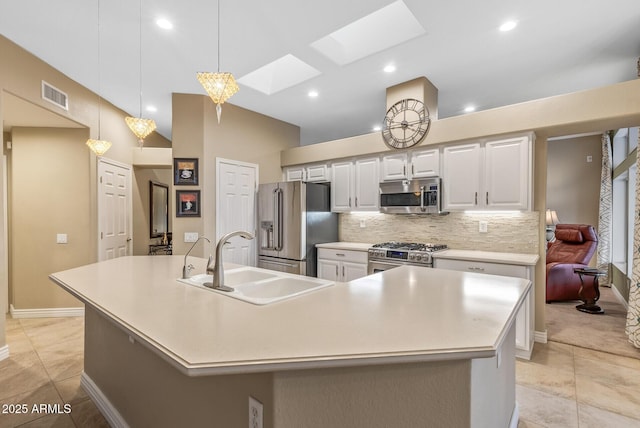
x: 365, y: 37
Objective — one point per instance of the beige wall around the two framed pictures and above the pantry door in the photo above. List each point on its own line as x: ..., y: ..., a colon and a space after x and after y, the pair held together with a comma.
x: 242, y: 135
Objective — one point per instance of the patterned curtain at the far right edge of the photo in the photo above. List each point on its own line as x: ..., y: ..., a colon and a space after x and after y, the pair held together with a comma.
x: 633, y: 313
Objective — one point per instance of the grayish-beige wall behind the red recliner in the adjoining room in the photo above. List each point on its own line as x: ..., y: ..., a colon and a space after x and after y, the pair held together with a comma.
x: 573, y: 184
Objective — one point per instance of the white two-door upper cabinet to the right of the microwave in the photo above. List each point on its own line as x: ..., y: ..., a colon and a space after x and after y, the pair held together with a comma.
x: 494, y: 176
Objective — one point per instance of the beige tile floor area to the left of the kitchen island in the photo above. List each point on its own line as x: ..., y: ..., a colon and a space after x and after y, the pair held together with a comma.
x: 44, y: 366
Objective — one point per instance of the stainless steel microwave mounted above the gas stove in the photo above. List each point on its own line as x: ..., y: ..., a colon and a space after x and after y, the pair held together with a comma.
x: 422, y: 196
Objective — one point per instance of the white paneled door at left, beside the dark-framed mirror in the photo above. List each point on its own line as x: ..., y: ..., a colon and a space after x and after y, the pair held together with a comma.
x: 114, y: 210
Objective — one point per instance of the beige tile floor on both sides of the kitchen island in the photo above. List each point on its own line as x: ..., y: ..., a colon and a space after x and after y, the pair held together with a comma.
x: 562, y: 386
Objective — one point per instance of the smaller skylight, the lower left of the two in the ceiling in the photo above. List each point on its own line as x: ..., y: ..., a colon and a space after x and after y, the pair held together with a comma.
x: 280, y: 74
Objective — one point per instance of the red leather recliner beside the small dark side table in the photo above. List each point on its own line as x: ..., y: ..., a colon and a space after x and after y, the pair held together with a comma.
x: 574, y: 246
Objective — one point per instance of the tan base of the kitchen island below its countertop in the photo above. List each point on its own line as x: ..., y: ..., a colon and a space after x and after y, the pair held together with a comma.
x: 132, y: 386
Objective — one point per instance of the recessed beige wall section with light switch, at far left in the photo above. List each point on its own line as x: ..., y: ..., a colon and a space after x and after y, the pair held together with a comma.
x: 49, y: 182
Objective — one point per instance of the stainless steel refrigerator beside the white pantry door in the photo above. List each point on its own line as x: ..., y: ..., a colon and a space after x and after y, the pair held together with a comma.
x: 293, y: 217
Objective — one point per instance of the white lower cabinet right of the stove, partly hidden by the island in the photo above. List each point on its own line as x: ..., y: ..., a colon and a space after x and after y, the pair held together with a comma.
x: 526, y: 315
